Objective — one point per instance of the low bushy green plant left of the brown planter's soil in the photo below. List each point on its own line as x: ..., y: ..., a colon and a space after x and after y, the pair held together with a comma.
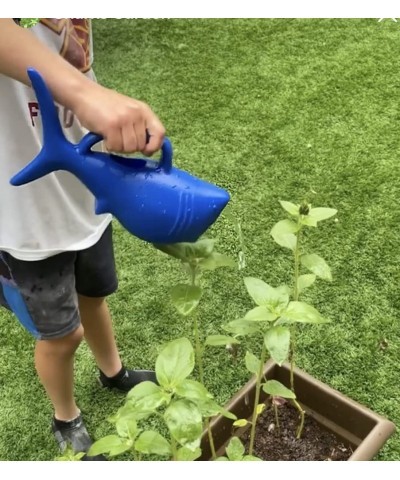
x: 179, y: 402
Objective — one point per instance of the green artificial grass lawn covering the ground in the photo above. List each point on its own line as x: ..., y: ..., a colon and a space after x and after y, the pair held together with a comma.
x: 270, y: 109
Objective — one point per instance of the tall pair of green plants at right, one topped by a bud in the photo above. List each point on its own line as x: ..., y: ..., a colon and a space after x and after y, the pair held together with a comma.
x: 279, y: 309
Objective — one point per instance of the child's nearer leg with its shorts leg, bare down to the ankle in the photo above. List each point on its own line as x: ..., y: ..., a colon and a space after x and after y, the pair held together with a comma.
x: 43, y: 297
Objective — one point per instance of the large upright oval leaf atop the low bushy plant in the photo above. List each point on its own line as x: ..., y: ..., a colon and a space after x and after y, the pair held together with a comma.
x: 175, y: 363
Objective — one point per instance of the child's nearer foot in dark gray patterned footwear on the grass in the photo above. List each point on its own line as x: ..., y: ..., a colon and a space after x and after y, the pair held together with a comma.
x: 73, y: 434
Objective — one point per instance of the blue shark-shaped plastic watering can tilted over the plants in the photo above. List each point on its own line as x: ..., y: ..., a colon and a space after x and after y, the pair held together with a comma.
x: 153, y: 200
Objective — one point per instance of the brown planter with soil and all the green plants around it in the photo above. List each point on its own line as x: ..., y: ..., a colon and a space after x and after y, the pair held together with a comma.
x: 282, y: 413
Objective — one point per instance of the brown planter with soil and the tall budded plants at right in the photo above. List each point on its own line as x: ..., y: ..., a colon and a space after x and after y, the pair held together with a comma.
x: 325, y: 425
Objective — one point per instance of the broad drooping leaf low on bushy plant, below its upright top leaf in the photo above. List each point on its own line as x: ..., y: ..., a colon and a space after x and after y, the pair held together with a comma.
x: 184, y: 422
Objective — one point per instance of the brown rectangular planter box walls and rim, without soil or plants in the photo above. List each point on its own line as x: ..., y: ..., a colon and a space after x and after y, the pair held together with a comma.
x: 365, y: 431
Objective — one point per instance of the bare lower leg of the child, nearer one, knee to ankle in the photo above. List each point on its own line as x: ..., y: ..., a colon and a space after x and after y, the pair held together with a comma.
x: 54, y: 361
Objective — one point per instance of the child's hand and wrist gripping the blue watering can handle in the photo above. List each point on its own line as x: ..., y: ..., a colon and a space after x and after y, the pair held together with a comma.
x: 121, y: 120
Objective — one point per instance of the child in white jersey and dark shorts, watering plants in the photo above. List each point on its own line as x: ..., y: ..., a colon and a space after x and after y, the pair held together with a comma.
x: 56, y: 255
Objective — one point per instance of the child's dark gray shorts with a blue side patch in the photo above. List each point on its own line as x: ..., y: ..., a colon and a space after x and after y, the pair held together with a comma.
x: 43, y: 294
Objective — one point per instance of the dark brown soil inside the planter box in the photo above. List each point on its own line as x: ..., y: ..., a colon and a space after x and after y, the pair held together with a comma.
x: 315, y: 444
